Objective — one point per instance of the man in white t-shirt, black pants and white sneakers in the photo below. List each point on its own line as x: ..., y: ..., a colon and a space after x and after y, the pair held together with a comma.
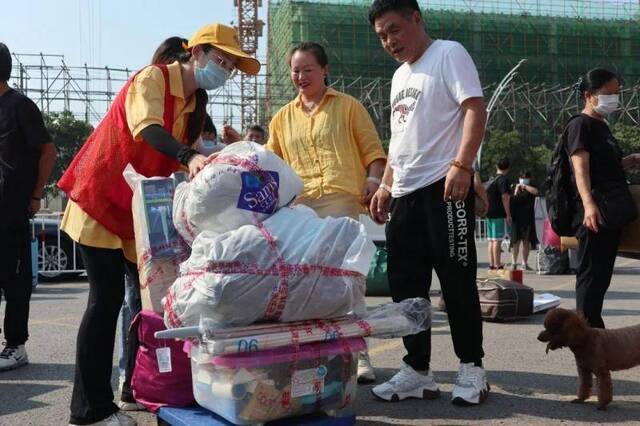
x: 437, y: 123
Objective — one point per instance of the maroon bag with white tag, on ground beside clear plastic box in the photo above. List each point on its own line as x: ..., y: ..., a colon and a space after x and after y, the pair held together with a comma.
x: 152, y: 388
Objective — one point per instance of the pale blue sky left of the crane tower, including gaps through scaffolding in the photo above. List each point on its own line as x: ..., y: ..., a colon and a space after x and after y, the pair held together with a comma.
x: 117, y: 34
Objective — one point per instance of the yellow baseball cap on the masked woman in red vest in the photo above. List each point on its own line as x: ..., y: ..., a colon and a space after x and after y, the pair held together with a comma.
x: 225, y: 39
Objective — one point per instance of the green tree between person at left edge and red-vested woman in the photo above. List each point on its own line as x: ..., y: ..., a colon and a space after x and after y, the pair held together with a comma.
x: 68, y: 135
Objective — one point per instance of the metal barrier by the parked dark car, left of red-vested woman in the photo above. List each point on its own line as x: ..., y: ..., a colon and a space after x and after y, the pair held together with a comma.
x: 57, y: 253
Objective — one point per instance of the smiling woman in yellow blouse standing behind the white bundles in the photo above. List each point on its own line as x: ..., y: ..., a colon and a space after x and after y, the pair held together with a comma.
x: 328, y: 138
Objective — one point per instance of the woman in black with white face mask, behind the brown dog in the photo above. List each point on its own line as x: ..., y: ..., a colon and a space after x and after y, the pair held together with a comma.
x: 598, y: 166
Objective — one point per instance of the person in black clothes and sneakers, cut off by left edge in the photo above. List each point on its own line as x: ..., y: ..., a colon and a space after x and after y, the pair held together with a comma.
x: 27, y: 157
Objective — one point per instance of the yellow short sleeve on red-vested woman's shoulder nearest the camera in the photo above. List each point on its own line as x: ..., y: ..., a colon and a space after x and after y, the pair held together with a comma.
x: 144, y: 104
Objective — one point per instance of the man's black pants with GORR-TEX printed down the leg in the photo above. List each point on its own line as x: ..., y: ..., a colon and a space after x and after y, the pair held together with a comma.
x: 426, y: 233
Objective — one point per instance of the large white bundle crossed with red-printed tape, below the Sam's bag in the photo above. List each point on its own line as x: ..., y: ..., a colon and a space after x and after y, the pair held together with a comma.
x: 293, y: 266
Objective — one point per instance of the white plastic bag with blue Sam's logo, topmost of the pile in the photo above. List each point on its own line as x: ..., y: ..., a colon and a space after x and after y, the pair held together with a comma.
x: 244, y: 185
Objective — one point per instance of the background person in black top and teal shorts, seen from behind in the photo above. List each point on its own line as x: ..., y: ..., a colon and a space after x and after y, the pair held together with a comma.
x: 499, y: 214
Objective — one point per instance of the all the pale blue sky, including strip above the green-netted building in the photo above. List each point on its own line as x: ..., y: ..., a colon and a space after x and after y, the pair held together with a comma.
x: 124, y: 34
